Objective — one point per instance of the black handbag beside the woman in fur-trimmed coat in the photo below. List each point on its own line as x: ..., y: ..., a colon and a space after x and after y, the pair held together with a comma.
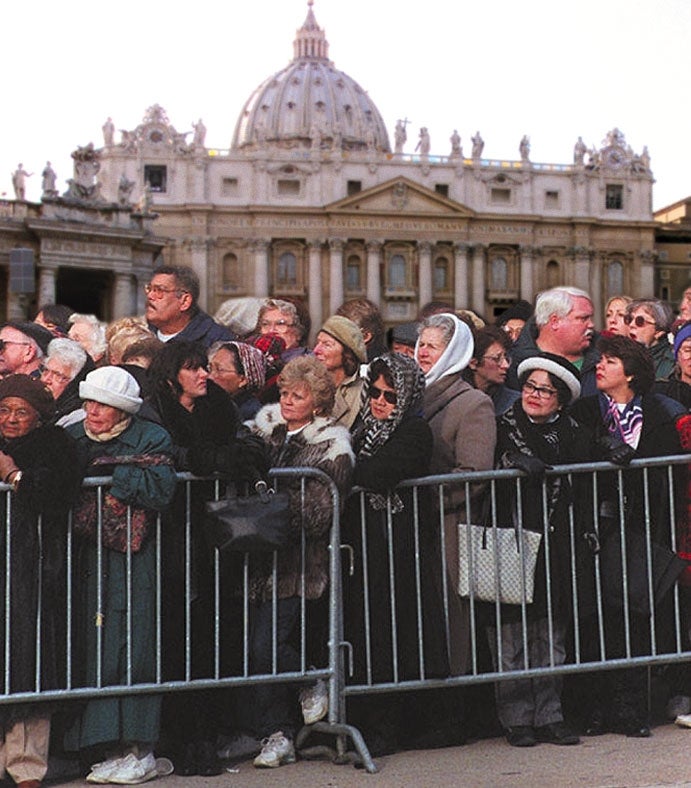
x: 249, y: 524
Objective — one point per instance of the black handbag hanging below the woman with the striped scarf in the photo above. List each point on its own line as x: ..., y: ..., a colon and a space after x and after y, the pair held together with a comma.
x: 666, y: 568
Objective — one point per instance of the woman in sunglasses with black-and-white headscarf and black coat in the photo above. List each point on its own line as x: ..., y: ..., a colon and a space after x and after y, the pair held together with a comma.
x: 393, y: 443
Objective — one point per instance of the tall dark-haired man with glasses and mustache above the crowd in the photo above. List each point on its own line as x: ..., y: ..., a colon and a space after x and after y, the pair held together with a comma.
x: 172, y: 310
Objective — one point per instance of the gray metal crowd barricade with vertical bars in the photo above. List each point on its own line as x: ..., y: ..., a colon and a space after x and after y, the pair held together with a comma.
x: 230, y: 608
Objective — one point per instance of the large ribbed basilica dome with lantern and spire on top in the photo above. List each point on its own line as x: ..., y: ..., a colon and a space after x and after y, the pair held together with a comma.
x: 310, y: 104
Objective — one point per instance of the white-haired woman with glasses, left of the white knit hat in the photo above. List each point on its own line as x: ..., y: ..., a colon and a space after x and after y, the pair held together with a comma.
x: 65, y: 365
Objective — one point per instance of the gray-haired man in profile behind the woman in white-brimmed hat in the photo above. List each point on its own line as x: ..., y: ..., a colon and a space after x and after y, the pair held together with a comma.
x: 562, y: 325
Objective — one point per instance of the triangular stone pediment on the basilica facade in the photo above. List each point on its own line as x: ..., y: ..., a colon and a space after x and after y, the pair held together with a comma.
x: 400, y: 196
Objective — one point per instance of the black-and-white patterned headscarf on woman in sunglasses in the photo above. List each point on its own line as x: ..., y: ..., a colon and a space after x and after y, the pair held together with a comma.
x: 409, y: 384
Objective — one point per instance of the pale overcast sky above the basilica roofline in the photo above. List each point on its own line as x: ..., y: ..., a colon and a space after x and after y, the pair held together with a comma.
x: 551, y: 70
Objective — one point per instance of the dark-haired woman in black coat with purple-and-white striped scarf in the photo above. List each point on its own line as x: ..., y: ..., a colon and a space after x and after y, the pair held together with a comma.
x: 628, y: 421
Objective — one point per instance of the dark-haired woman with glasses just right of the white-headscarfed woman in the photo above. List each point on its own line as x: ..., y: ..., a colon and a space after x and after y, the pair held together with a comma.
x: 489, y: 365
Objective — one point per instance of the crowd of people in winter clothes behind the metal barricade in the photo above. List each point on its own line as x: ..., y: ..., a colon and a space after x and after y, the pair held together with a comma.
x: 176, y: 390
